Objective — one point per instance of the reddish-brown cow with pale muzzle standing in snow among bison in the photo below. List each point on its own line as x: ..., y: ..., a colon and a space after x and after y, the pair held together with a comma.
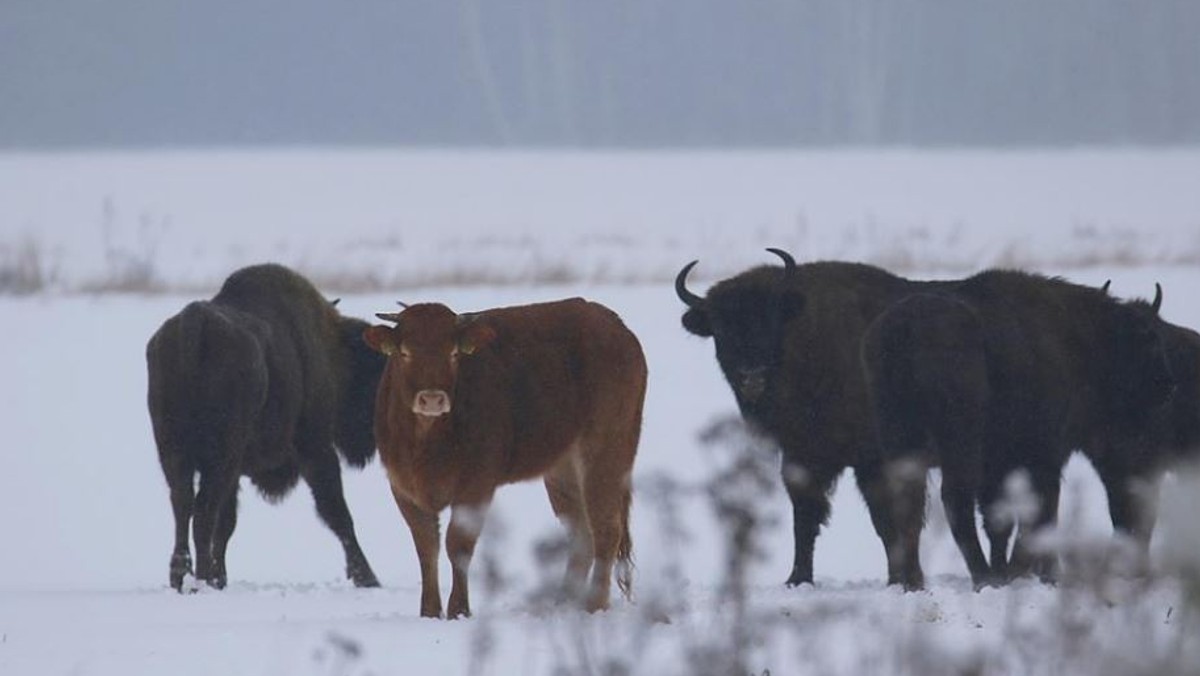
x: 469, y: 403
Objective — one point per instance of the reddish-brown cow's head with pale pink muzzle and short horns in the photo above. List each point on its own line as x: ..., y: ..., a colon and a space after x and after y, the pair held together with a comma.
x: 424, y: 350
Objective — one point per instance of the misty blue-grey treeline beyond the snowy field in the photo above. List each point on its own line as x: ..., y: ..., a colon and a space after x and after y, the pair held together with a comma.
x: 585, y: 74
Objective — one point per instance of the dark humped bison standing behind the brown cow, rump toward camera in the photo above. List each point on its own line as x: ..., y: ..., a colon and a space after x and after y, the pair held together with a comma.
x: 263, y: 381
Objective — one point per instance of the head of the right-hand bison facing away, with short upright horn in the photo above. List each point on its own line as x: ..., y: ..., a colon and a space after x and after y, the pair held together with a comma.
x: 1143, y: 370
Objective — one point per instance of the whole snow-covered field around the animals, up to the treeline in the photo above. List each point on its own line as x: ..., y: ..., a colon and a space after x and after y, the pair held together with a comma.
x: 85, y: 515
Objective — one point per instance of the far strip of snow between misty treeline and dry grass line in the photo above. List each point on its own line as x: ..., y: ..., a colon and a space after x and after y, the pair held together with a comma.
x: 381, y: 220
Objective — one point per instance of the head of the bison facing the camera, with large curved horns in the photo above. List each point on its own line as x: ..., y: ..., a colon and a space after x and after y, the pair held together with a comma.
x: 747, y: 318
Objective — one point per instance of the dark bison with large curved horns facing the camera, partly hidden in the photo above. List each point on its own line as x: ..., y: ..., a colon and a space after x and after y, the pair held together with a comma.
x: 788, y: 342
